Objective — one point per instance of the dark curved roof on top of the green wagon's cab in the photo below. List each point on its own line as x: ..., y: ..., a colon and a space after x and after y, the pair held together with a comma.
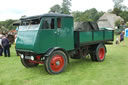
x: 46, y: 15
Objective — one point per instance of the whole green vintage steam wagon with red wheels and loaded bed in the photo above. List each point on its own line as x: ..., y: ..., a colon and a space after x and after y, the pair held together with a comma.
x: 51, y: 39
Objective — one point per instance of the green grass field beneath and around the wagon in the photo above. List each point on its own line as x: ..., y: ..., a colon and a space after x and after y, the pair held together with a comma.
x: 113, y: 71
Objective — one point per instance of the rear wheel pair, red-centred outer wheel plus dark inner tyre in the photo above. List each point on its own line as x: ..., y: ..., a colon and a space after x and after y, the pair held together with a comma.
x: 99, y: 54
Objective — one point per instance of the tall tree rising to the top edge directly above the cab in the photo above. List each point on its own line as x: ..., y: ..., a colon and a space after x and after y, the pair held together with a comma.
x: 66, y: 6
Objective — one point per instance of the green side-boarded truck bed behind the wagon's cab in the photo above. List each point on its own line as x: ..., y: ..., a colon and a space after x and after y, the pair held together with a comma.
x: 92, y: 37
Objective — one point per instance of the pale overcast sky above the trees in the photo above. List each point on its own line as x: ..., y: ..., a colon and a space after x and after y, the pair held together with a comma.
x: 14, y: 9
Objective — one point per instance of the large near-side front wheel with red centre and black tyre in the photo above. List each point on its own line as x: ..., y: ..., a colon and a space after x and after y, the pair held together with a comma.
x: 56, y: 62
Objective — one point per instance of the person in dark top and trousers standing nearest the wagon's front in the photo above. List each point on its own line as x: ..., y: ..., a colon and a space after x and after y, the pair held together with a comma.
x: 6, y: 48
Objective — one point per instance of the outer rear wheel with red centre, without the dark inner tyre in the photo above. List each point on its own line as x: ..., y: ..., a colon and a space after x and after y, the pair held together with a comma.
x: 100, y: 53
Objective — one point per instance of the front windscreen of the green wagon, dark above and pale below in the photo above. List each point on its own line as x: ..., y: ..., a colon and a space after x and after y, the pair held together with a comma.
x: 29, y: 25
